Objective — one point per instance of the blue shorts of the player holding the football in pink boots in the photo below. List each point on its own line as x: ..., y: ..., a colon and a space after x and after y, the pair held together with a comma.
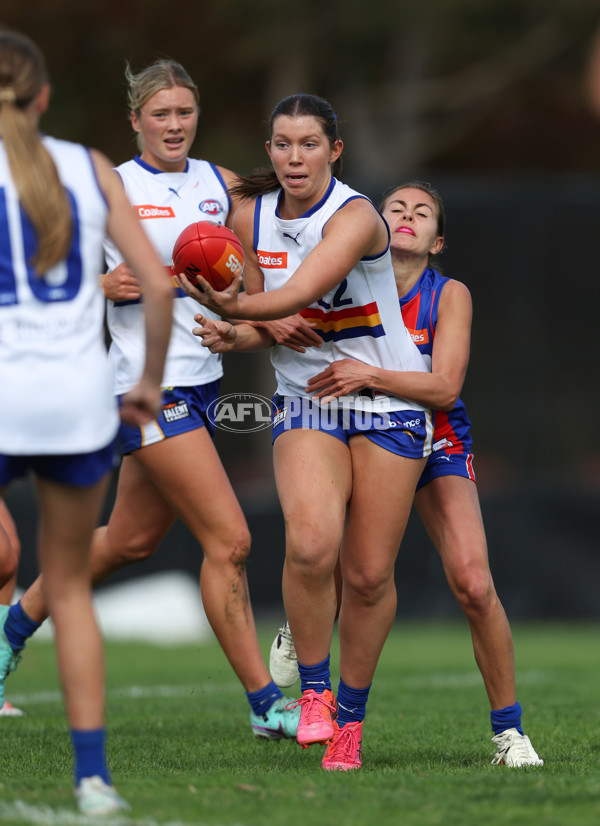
x: 404, y: 432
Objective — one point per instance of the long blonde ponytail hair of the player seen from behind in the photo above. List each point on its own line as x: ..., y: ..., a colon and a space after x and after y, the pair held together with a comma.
x: 34, y: 173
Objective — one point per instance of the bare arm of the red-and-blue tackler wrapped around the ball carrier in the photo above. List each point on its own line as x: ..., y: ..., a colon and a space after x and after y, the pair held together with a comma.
x: 439, y: 389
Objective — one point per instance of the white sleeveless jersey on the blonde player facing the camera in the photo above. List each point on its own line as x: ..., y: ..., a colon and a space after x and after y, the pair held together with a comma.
x: 166, y: 203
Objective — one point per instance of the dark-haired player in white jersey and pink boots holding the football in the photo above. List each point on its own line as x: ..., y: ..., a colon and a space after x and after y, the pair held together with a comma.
x: 314, y: 245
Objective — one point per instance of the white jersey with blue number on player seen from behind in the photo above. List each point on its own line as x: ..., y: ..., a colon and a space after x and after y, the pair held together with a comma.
x: 55, y: 376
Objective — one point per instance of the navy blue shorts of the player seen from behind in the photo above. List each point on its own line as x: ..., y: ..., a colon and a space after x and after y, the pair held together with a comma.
x: 81, y: 470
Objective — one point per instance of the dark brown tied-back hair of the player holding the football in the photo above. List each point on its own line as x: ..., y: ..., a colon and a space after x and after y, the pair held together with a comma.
x: 265, y: 180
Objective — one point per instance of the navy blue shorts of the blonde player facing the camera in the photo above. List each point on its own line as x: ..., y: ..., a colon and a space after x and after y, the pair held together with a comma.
x: 183, y: 409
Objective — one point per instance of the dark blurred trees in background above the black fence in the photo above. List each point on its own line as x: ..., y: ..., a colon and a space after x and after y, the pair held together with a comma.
x: 462, y: 85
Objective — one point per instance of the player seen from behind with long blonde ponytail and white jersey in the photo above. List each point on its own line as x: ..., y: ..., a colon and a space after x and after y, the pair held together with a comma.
x: 59, y: 417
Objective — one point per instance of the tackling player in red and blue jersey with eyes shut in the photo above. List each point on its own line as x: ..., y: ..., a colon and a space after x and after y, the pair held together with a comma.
x: 438, y: 312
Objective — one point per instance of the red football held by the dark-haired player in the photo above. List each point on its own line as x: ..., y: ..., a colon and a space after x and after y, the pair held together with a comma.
x: 211, y: 250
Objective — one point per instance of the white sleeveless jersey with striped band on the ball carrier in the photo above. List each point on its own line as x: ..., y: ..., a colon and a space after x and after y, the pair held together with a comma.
x: 360, y: 319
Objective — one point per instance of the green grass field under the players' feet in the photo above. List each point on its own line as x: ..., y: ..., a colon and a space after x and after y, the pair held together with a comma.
x: 181, y: 750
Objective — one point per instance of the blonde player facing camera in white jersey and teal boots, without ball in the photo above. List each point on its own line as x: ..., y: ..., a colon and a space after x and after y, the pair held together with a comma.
x: 166, y: 461
